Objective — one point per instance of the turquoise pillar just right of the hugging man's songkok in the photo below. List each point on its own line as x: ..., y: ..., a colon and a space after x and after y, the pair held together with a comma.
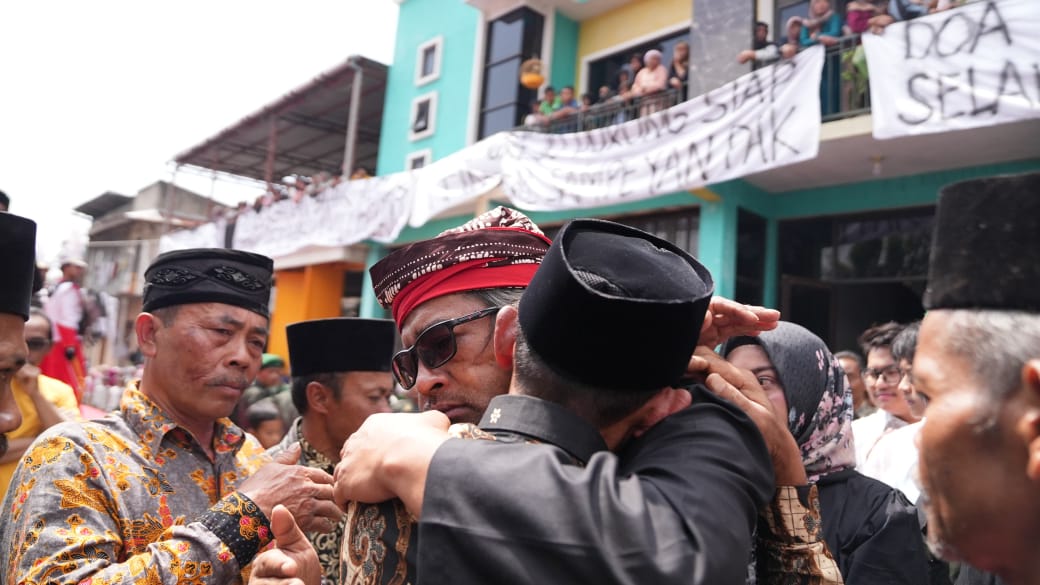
x: 717, y: 244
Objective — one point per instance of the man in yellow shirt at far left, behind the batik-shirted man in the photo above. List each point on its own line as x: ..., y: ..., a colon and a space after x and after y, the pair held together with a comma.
x: 44, y: 401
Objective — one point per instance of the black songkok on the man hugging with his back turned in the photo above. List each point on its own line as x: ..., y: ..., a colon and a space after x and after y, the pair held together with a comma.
x: 615, y: 308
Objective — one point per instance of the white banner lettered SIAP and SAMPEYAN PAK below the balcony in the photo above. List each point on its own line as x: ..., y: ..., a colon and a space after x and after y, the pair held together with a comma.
x: 766, y: 119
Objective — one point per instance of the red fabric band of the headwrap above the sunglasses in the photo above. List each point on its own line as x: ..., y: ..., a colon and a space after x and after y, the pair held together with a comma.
x: 475, y: 275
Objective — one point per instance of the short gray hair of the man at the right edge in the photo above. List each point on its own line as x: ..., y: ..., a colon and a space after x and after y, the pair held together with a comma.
x: 997, y: 344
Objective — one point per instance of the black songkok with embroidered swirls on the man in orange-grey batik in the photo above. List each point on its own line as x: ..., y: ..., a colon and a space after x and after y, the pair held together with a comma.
x: 210, y: 275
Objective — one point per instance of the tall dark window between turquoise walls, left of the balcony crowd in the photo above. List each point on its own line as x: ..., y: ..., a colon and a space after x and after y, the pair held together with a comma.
x: 511, y: 40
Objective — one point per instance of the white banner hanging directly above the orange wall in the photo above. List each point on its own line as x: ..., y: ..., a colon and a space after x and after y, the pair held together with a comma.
x: 352, y: 212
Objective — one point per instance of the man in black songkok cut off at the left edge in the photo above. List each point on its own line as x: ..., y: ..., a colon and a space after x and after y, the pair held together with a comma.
x: 18, y: 240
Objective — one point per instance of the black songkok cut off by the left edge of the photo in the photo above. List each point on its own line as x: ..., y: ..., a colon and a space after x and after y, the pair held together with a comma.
x: 18, y: 264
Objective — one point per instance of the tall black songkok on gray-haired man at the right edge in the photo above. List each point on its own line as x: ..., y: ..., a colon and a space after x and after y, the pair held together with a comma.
x: 986, y: 245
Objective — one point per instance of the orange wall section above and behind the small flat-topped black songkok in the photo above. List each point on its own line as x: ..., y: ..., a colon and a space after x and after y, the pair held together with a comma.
x: 303, y: 294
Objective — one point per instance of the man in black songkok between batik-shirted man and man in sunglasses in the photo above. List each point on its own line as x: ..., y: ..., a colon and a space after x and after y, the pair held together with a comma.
x: 341, y: 376
